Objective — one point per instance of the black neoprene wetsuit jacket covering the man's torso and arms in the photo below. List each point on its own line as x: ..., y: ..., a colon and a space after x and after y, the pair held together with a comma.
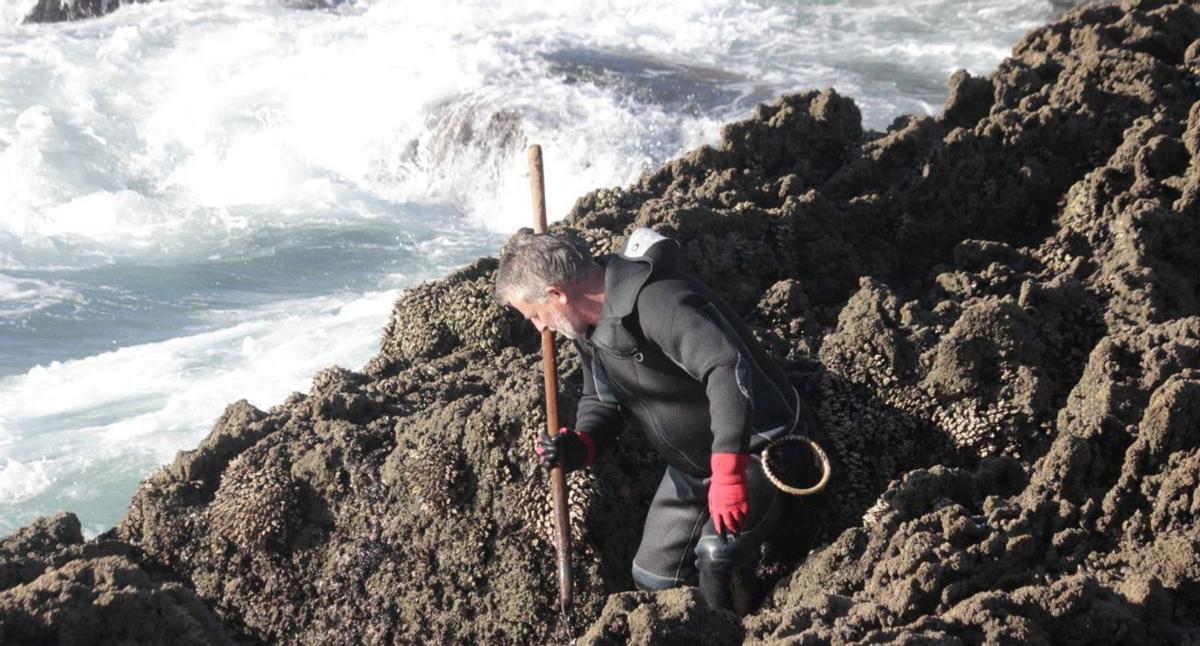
x: 671, y: 352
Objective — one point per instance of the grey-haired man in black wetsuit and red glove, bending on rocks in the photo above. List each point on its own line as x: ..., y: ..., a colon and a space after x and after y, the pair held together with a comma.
x: 658, y: 344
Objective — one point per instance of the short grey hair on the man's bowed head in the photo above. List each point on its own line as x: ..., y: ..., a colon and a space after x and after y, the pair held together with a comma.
x: 532, y: 262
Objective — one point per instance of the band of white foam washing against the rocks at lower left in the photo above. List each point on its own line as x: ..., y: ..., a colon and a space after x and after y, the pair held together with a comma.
x: 71, y: 427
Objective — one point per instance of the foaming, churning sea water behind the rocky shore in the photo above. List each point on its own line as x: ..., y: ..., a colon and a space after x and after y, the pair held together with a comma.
x: 209, y: 201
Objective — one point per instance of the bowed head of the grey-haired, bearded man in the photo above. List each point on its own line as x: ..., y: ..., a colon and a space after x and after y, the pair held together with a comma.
x: 553, y: 282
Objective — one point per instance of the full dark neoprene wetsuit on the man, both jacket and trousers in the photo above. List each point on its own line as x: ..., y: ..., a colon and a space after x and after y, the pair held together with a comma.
x: 674, y: 355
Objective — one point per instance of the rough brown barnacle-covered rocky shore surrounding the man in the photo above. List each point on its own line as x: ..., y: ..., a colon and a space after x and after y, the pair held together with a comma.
x: 993, y: 314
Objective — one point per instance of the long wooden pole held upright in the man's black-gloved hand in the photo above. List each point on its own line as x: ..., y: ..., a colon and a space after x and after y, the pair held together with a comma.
x: 557, y: 478
